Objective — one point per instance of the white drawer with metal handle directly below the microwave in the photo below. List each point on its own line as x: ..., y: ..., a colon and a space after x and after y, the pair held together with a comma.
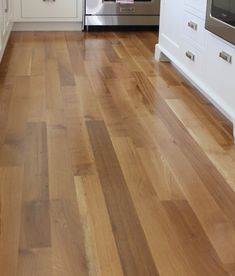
x: 220, y: 69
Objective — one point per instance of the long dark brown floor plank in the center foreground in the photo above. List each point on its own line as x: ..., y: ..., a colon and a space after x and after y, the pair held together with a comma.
x: 128, y: 232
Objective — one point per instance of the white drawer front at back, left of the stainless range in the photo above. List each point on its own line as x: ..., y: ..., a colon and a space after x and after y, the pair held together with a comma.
x: 49, y: 8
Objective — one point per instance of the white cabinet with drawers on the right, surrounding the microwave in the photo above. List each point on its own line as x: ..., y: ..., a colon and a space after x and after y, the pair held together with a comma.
x: 205, y: 59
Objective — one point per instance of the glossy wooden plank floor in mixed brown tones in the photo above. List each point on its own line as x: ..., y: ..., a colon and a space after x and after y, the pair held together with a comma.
x: 110, y: 163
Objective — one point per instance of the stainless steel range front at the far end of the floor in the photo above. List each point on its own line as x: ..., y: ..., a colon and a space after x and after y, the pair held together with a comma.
x: 111, y: 12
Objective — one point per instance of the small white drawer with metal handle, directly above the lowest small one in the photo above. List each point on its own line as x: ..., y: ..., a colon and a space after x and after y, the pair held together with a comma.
x: 193, y: 28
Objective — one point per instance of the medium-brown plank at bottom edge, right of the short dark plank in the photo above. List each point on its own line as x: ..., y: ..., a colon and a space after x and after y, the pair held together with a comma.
x: 68, y: 248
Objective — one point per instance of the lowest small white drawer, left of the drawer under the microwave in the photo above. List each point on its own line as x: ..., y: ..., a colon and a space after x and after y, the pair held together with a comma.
x: 192, y: 59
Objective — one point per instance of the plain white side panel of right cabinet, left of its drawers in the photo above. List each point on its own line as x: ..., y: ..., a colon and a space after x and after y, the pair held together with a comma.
x: 170, y: 25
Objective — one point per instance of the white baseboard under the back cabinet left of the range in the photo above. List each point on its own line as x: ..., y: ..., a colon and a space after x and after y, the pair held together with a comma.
x: 47, y: 26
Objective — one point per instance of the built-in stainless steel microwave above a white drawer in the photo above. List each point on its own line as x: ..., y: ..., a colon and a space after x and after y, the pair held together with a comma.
x: 220, y: 18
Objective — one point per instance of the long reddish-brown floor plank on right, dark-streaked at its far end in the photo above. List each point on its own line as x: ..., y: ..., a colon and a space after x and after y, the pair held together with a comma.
x: 207, y: 172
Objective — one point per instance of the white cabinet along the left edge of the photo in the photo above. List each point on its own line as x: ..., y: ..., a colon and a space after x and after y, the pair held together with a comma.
x: 6, y: 17
